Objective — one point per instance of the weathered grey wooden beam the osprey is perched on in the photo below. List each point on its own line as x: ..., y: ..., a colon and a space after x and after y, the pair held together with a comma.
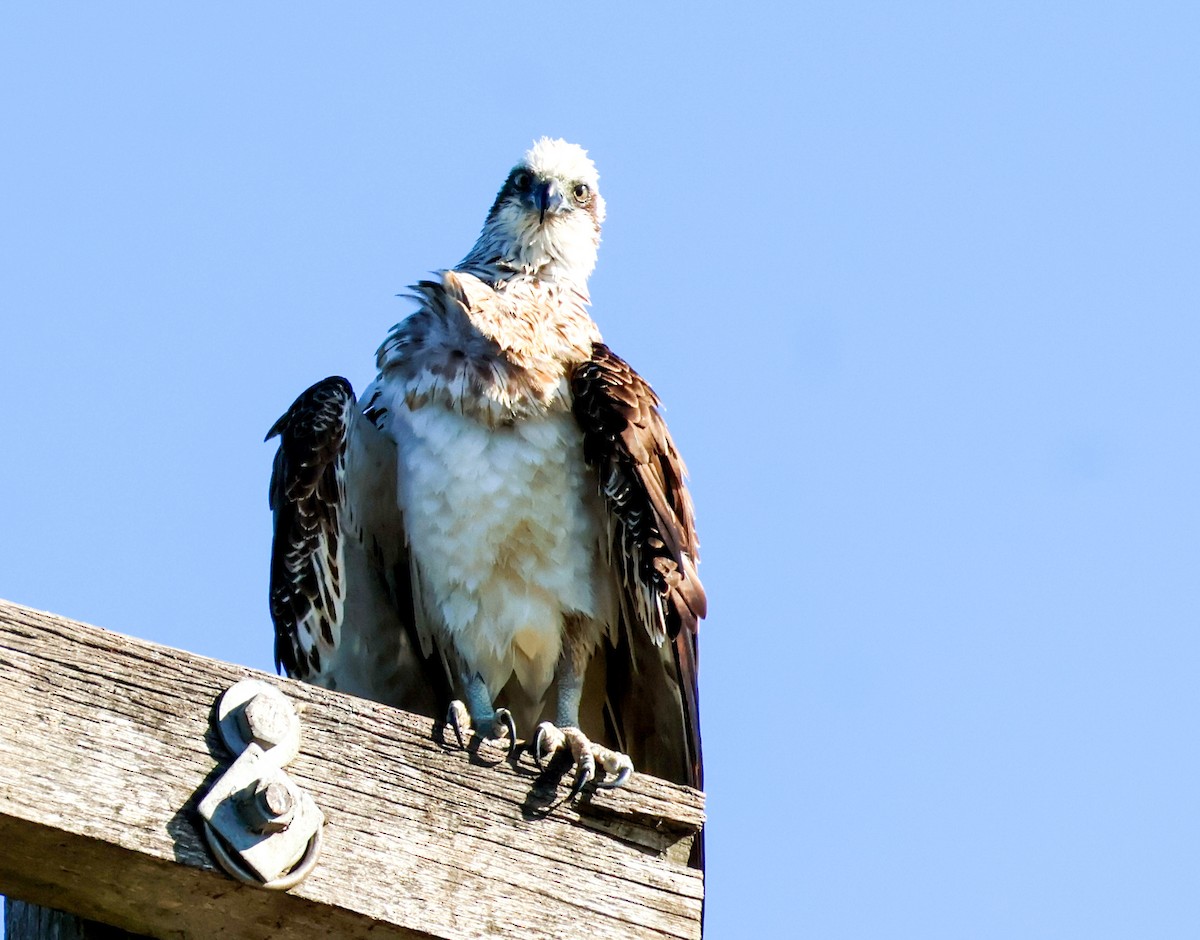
x: 106, y: 750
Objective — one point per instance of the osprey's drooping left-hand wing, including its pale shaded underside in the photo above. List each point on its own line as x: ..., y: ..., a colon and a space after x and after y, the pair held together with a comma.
x: 340, y: 594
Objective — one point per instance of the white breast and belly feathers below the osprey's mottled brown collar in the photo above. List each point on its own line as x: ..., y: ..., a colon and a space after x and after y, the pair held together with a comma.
x: 506, y: 535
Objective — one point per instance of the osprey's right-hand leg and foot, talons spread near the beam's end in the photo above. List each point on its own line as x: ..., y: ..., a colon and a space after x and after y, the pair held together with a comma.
x: 567, y: 734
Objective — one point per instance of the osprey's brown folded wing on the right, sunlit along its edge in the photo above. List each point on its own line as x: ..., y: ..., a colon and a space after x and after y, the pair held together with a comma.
x: 652, y: 674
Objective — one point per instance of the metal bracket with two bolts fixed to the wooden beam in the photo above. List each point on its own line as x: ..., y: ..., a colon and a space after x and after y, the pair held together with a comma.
x: 262, y: 828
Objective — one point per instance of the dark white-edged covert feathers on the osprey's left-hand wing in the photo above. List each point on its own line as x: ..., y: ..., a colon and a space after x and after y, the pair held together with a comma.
x: 308, y: 496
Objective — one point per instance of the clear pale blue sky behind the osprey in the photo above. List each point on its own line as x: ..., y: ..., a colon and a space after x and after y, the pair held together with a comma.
x: 917, y: 284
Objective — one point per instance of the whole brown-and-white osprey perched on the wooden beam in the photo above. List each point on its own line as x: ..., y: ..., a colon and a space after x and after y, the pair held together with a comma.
x: 500, y: 531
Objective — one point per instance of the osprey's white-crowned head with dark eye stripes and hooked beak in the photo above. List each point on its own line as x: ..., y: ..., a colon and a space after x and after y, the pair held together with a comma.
x: 547, y: 217
